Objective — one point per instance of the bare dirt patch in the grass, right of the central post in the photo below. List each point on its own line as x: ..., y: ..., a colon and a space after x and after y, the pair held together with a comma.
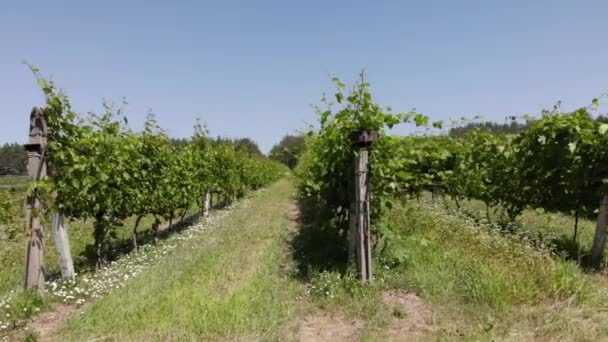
x: 412, y: 317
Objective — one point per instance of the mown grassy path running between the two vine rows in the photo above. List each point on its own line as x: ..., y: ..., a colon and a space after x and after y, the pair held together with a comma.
x: 229, y: 282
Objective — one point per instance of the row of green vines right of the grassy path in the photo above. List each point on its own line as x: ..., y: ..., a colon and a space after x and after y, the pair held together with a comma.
x: 558, y: 164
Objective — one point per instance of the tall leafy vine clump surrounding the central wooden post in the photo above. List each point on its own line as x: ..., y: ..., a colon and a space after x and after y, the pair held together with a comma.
x: 325, y: 172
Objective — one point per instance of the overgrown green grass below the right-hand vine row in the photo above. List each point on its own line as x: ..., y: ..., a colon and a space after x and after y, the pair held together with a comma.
x: 481, y: 284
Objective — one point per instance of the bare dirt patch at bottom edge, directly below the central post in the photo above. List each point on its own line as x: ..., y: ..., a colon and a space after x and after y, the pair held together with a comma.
x: 325, y: 327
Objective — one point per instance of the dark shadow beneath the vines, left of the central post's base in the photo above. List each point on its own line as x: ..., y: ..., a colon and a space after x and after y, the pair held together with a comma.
x: 319, y: 244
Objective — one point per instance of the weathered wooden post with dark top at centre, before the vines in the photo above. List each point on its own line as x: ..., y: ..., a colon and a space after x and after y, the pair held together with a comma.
x: 362, y: 142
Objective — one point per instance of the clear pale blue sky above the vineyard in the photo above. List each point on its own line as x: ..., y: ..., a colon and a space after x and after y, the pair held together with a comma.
x: 255, y: 68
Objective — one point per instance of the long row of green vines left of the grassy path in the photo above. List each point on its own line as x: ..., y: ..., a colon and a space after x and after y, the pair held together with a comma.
x: 104, y: 171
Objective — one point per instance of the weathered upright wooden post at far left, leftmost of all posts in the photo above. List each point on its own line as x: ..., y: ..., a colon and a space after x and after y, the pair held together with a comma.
x: 36, y: 168
